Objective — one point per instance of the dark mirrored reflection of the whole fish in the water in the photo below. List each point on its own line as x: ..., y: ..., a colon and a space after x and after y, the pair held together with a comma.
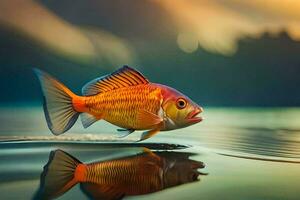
x: 113, y: 179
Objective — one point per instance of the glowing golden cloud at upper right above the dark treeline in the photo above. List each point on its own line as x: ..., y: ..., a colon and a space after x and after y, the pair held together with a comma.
x: 218, y: 25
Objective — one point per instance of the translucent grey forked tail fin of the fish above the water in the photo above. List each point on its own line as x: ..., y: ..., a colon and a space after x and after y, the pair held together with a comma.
x: 58, y: 108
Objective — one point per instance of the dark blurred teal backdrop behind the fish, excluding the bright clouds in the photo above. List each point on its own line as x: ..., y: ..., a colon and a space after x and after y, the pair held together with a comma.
x: 263, y: 72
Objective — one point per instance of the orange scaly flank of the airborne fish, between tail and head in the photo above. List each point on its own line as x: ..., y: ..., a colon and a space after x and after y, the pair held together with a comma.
x: 121, y: 106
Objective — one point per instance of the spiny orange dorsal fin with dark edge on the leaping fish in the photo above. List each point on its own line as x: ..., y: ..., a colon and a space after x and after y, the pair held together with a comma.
x: 123, y: 77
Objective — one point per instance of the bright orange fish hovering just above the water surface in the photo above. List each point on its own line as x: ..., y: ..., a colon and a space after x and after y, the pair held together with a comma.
x: 125, y: 98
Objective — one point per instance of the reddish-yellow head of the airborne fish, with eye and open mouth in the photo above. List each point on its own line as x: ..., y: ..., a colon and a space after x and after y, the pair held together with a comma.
x: 180, y: 111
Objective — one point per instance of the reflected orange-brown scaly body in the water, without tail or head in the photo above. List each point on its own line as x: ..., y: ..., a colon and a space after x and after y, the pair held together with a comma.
x: 130, y: 176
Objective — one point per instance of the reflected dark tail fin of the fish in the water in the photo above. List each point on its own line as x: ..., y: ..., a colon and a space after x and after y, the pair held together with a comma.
x: 58, y: 175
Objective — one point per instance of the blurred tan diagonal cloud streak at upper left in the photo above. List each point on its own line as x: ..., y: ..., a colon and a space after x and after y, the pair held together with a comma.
x: 42, y: 26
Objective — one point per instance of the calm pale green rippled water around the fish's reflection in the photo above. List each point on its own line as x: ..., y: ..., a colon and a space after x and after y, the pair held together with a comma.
x: 251, y: 153
